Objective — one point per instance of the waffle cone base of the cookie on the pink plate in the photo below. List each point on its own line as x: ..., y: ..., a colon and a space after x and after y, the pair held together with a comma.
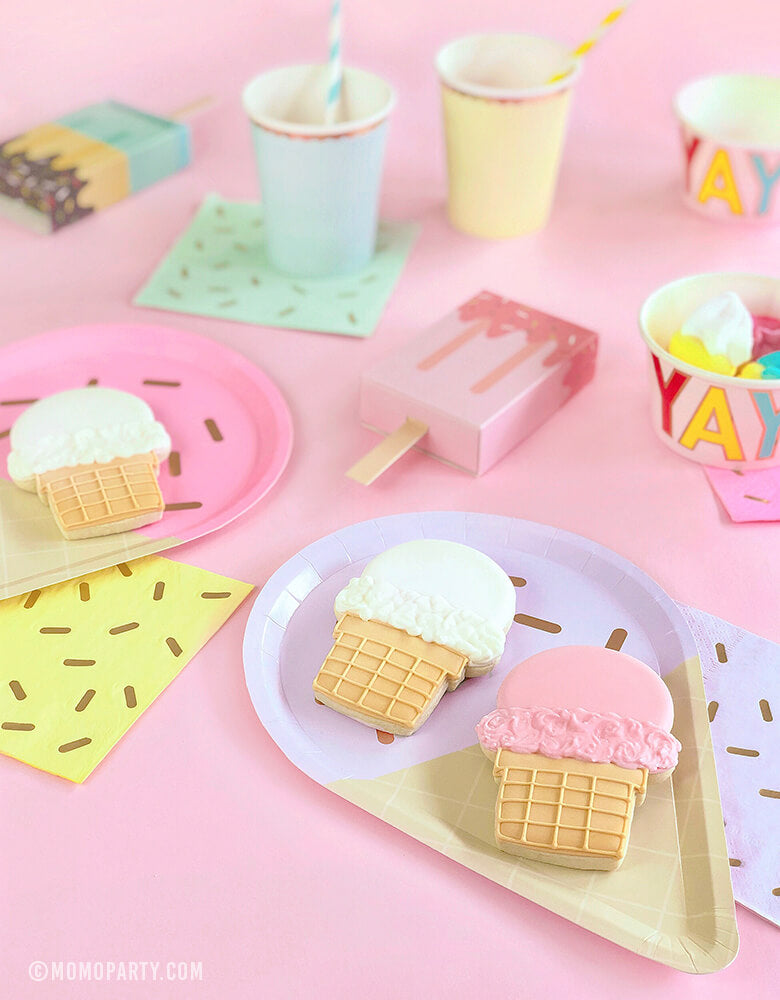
x: 103, y: 498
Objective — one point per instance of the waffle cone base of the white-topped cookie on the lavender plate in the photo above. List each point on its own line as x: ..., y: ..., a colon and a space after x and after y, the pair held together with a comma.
x: 384, y: 677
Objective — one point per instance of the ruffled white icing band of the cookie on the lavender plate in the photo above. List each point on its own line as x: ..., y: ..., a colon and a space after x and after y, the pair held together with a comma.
x: 432, y: 618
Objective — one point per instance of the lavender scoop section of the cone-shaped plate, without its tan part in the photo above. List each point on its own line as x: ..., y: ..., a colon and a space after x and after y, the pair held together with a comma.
x: 571, y: 582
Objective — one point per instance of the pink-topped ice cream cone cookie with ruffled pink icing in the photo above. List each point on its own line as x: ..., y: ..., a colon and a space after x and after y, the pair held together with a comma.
x: 575, y: 735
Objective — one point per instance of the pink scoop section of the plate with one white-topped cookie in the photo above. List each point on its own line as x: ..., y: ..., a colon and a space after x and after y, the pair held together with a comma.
x: 229, y: 425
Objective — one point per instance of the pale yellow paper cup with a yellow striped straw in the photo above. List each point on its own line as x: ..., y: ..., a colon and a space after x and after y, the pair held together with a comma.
x: 504, y: 128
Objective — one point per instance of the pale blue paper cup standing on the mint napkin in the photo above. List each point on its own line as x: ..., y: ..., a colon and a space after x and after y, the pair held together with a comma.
x: 319, y: 182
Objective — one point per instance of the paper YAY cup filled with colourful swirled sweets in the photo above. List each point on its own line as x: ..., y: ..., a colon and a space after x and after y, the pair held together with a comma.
x: 732, y: 423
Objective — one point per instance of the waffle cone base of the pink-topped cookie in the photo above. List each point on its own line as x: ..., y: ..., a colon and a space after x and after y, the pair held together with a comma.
x: 565, y: 812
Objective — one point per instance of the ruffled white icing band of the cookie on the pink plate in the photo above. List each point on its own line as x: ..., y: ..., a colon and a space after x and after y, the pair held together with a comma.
x: 87, y: 445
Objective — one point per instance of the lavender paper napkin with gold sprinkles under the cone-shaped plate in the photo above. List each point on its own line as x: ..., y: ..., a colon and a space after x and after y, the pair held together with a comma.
x: 742, y: 681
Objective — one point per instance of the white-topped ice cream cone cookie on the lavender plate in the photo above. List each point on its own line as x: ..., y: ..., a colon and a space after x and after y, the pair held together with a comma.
x: 422, y: 616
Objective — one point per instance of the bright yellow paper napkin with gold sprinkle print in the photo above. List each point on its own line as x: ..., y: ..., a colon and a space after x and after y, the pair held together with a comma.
x: 81, y: 660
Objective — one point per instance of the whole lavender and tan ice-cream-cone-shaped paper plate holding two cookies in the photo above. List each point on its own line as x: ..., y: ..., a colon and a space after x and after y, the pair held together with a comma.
x: 672, y: 899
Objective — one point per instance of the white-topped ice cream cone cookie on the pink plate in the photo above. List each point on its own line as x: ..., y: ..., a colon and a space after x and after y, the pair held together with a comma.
x: 92, y: 455
